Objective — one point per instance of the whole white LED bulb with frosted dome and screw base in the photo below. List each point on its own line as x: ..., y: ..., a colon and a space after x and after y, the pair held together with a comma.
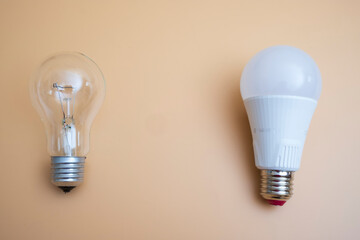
x: 280, y: 86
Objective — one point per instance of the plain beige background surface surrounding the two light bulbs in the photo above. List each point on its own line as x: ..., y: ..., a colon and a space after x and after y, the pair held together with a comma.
x: 171, y: 154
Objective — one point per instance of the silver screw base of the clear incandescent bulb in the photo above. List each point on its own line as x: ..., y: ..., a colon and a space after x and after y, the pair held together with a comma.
x: 67, y: 171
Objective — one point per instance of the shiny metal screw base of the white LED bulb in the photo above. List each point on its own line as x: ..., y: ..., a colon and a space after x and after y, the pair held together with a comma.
x: 276, y: 185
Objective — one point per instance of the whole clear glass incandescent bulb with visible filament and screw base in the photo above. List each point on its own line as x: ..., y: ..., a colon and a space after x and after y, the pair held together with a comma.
x: 67, y: 91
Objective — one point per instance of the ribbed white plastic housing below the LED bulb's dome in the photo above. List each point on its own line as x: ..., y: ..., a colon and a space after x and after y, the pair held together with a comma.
x: 279, y: 125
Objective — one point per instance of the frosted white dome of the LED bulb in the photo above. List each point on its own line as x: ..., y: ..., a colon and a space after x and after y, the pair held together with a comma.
x: 281, y: 70
